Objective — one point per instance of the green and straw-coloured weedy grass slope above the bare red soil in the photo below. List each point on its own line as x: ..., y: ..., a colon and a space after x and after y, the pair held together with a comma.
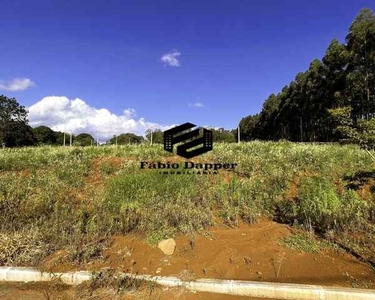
x: 73, y: 198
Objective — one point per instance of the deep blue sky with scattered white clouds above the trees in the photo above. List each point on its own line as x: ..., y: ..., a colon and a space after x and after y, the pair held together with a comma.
x: 128, y: 66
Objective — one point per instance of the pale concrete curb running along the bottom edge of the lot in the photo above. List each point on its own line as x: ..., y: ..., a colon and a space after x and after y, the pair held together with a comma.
x: 229, y: 287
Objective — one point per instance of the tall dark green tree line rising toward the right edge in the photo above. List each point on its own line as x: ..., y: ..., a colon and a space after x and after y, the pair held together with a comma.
x: 333, y: 100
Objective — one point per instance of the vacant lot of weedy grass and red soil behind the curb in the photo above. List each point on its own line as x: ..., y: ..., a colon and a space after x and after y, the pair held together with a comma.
x: 68, y: 208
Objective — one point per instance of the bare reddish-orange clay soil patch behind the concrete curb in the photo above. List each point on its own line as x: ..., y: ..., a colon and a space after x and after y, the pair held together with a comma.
x: 248, y: 252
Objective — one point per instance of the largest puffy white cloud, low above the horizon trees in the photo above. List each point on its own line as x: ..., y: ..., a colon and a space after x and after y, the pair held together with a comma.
x: 62, y: 114
